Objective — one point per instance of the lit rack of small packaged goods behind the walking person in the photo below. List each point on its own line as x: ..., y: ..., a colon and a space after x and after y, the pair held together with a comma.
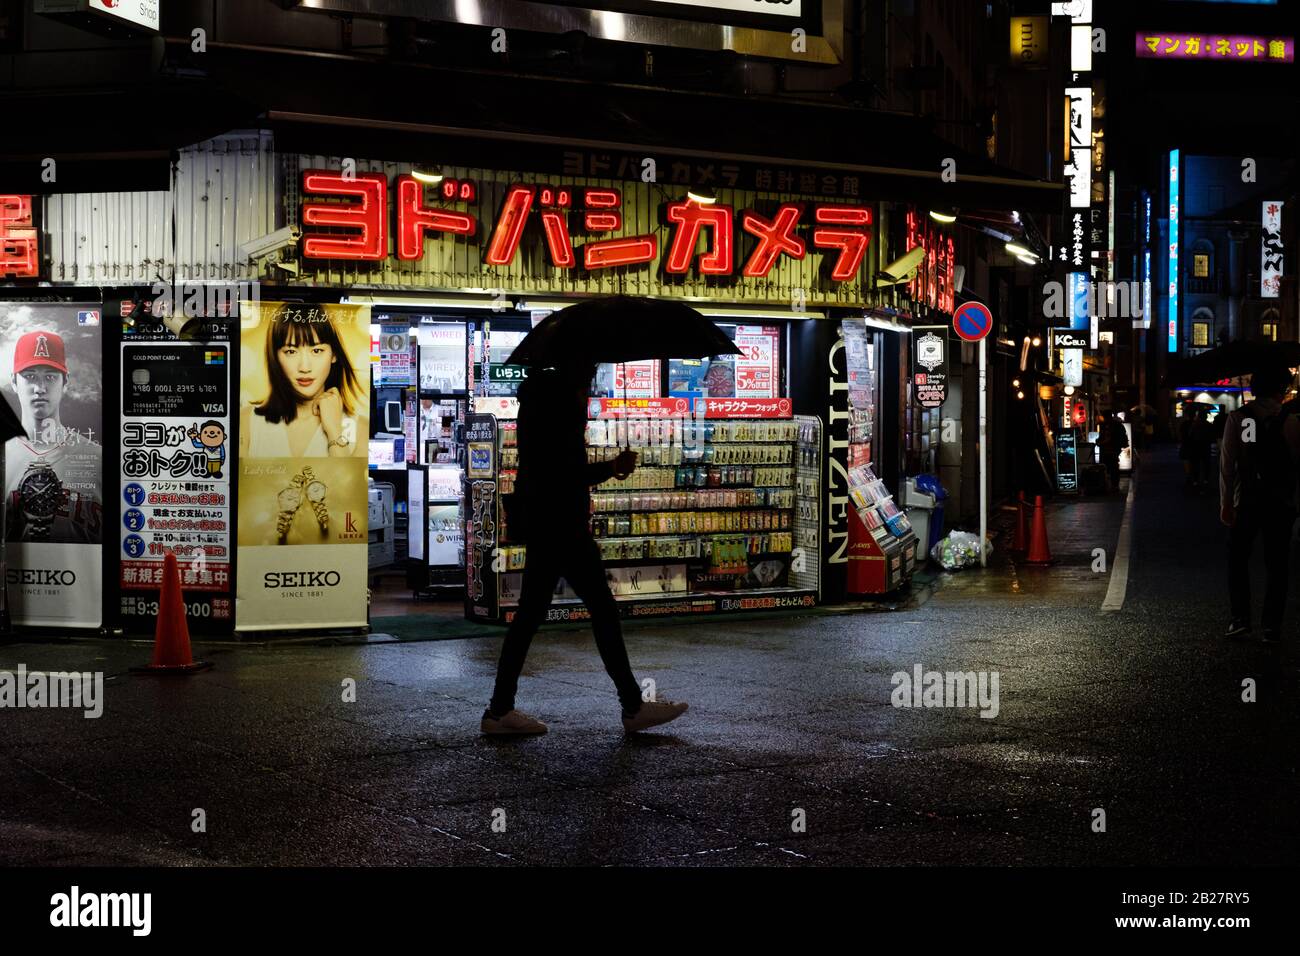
x: 707, y: 524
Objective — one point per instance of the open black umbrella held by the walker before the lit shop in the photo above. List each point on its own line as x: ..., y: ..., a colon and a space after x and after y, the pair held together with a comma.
x: 621, y: 328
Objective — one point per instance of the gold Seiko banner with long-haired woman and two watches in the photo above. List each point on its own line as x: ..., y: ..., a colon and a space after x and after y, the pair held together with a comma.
x: 304, y: 452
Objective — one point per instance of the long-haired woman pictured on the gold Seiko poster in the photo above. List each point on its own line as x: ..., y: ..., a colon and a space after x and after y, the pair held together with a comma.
x: 311, y: 404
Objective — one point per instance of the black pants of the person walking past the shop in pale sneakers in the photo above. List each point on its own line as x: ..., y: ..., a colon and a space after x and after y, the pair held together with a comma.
x: 577, y: 559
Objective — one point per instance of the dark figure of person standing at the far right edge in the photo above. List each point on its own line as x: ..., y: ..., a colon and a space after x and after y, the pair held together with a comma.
x: 1259, y: 460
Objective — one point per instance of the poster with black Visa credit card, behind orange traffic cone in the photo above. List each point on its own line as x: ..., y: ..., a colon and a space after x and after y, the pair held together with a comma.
x: 176, y: 478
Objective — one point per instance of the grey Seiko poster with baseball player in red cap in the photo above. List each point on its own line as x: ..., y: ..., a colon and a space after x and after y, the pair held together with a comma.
x: 54, y: 478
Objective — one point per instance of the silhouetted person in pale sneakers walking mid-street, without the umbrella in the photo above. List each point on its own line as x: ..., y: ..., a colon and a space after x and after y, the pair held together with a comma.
x: 551, y: 512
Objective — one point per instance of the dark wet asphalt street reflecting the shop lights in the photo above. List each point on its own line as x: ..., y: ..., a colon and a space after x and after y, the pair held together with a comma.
x: 1138, y: 715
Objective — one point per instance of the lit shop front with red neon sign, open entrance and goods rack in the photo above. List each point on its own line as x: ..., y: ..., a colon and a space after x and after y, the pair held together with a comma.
x: 730, y: 507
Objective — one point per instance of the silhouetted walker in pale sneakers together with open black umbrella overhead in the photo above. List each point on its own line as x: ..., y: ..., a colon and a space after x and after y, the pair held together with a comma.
x: 551, y: 507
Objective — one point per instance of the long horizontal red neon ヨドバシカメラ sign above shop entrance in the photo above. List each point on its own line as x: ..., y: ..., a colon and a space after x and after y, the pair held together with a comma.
x: 701, y: 237
